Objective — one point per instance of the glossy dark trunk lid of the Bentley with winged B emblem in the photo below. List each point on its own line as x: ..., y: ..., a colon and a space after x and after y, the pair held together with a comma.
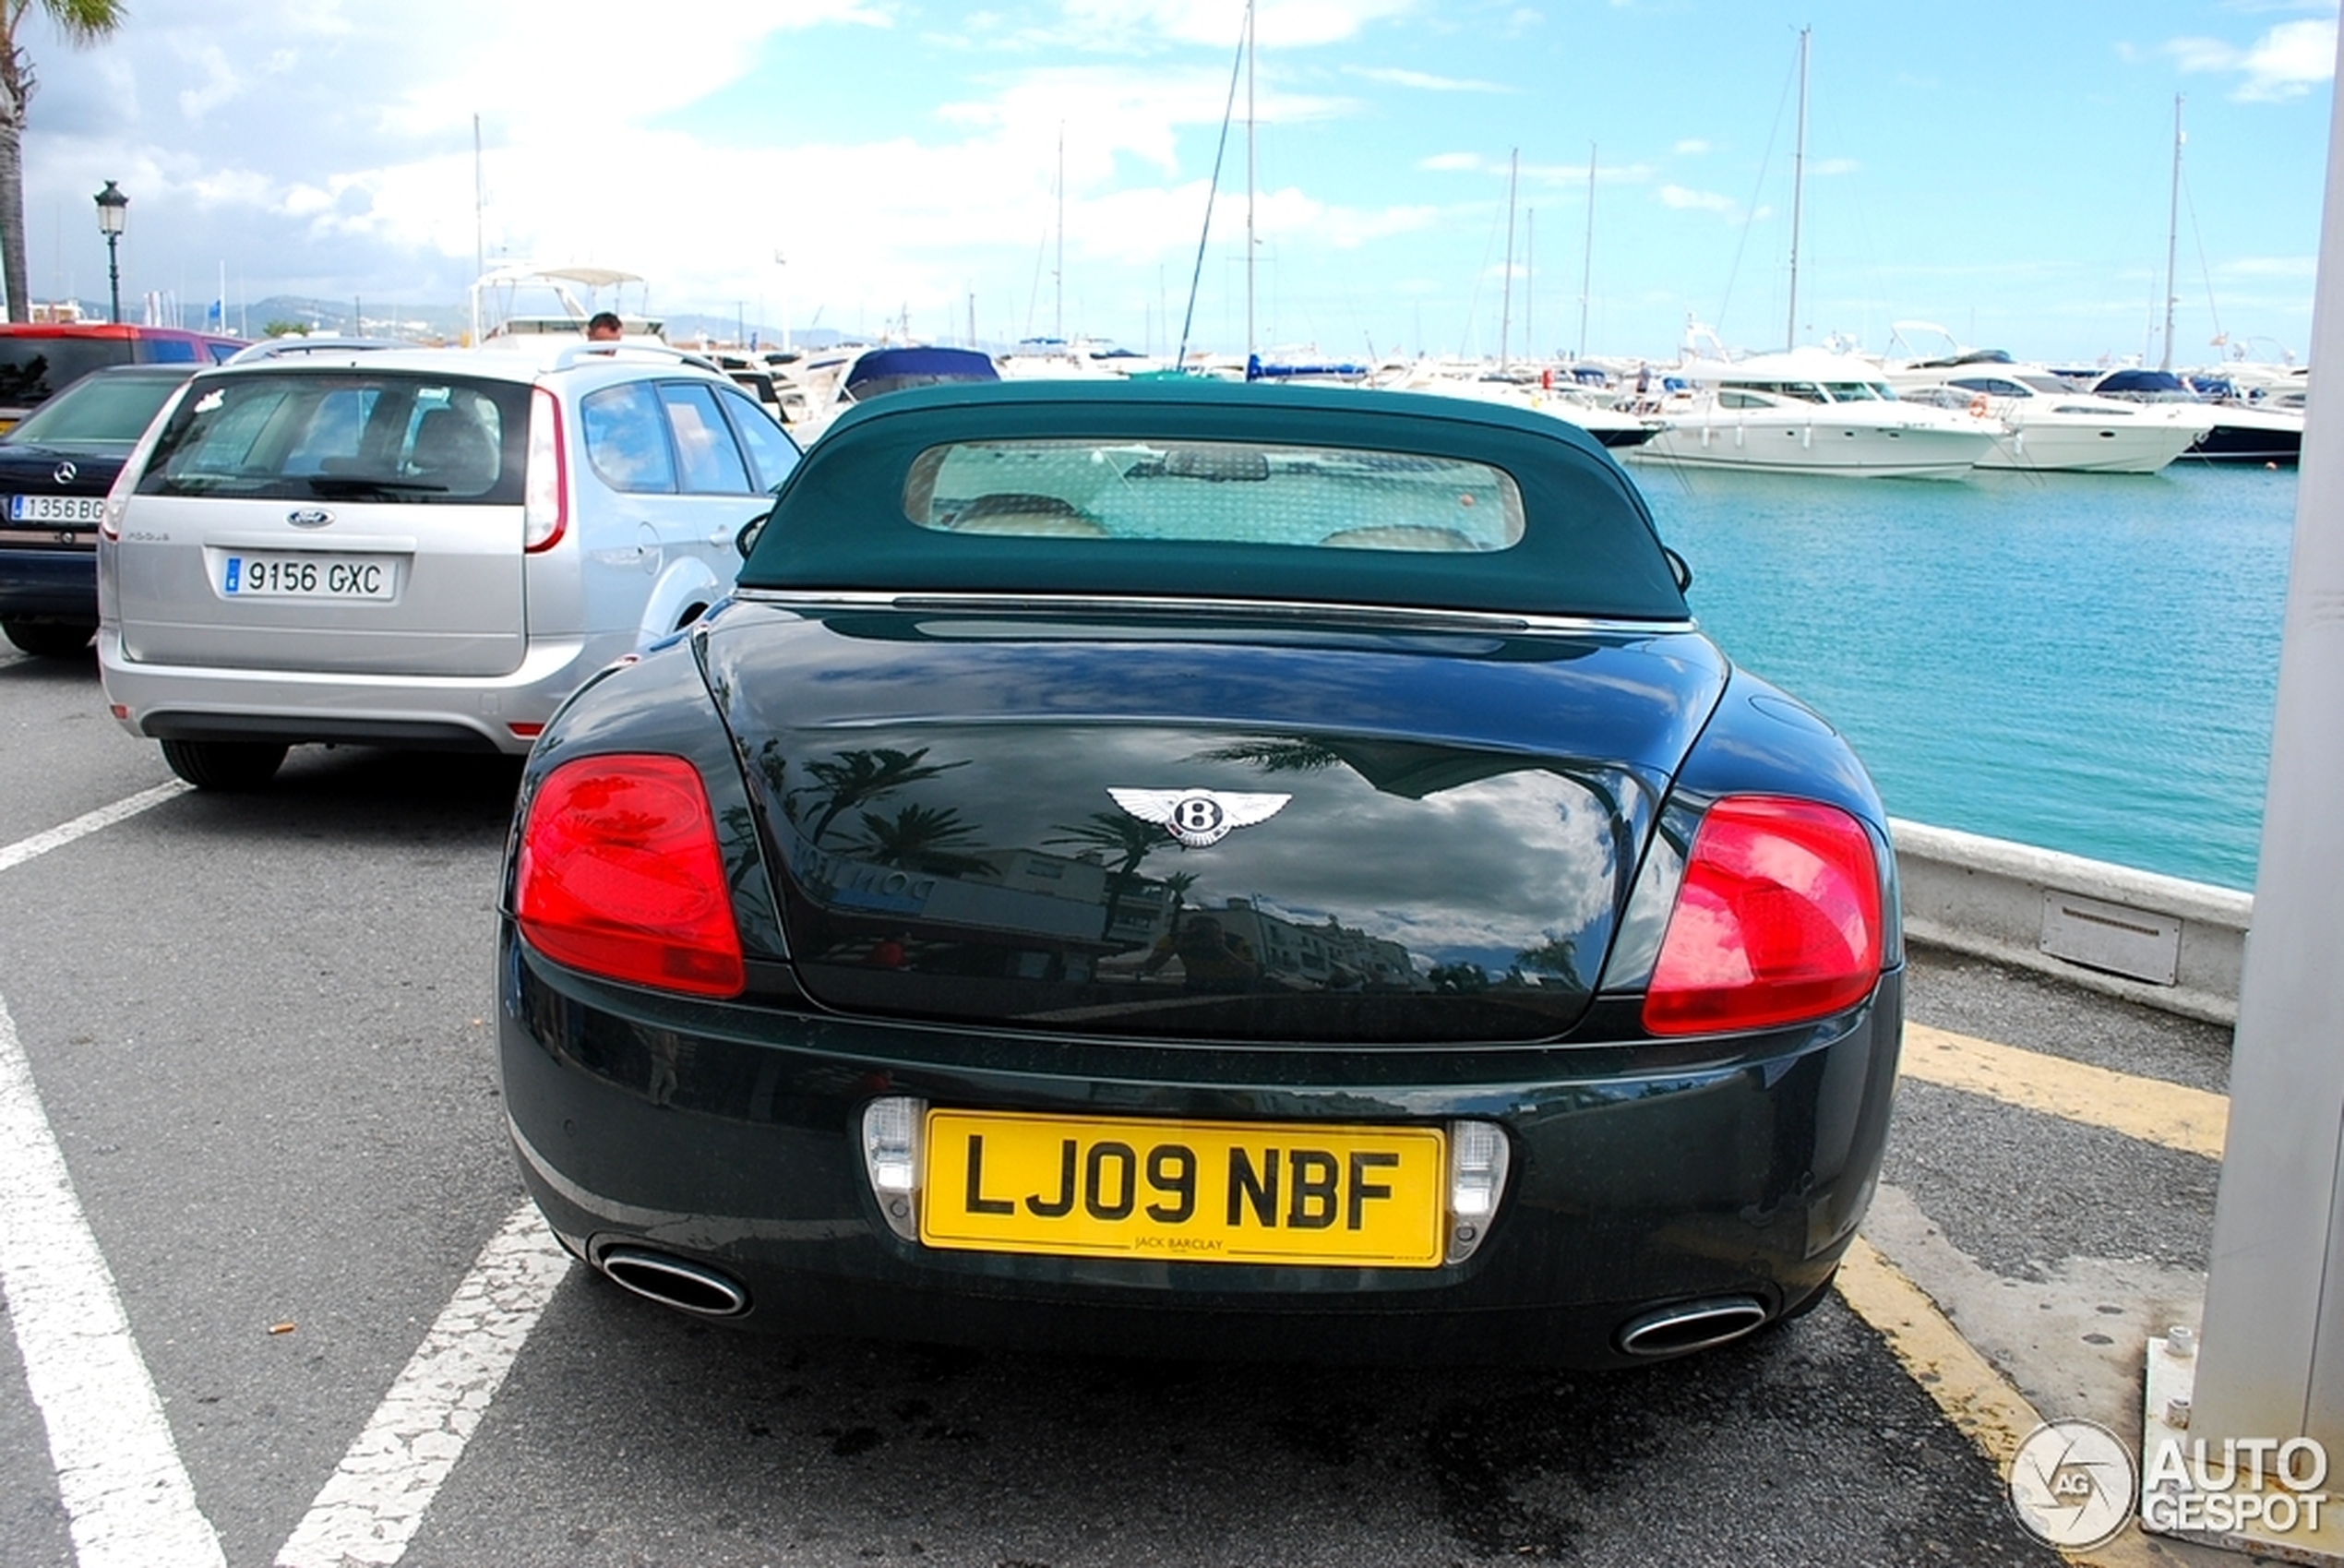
x: 1251, y: 833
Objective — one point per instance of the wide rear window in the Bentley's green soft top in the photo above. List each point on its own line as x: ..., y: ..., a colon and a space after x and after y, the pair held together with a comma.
x: 1215, y: 493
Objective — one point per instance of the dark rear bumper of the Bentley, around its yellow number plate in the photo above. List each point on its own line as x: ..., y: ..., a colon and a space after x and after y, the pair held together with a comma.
x: 728, y: 1140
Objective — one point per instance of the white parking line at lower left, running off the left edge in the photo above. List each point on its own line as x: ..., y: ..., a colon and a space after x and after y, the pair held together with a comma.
x: 125, y: 1489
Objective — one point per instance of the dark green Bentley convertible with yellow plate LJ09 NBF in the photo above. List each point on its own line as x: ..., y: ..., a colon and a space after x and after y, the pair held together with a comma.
x: 1204, y: 871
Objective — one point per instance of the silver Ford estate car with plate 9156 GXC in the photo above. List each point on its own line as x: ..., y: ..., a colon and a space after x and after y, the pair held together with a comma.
x: 416, y: 547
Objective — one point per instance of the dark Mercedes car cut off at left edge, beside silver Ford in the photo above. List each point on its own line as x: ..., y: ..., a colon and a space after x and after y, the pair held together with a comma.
x: 55, y: 472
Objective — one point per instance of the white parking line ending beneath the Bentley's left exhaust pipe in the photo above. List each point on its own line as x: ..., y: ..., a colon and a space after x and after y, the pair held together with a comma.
x: 379, y: 1497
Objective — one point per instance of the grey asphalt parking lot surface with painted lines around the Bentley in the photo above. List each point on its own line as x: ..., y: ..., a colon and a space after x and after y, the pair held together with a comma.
x: 257, y: 1035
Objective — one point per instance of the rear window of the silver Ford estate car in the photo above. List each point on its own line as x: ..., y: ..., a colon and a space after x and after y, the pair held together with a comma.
x: 367, y: 437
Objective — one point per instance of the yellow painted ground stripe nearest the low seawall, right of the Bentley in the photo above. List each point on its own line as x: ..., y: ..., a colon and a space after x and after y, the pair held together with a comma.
x: 2148, y: 1110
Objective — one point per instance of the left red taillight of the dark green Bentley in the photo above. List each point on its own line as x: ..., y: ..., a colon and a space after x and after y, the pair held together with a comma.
x: 620, y: 875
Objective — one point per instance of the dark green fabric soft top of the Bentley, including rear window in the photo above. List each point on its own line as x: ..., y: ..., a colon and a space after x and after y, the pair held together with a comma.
x: 1199, y: 489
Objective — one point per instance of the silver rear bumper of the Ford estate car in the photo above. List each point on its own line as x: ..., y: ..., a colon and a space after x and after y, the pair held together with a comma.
x: 442, y: 714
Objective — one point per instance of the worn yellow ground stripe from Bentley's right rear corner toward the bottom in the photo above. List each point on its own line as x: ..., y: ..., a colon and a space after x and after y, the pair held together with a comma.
x: 1963, y: 1384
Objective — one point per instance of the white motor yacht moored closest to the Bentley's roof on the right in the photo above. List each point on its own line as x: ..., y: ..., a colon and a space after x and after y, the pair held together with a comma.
x: 1811, y: 411
